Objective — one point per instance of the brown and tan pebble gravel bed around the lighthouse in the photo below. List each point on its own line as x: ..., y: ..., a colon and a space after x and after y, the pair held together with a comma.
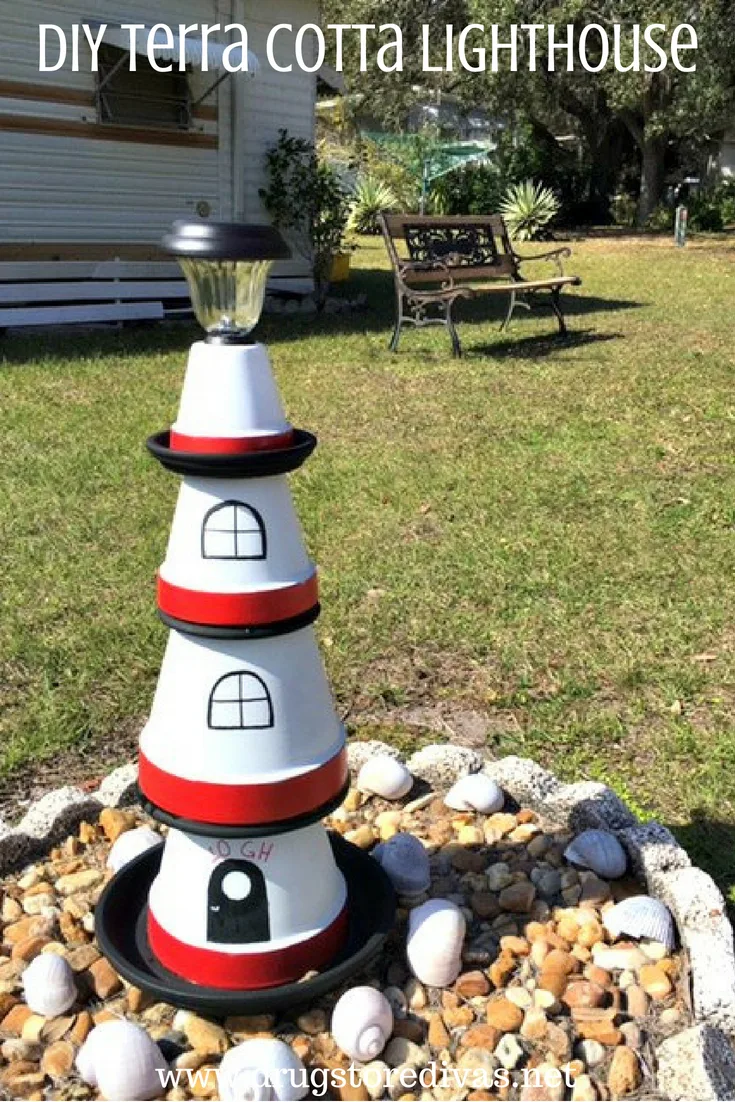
x: 544, y: 987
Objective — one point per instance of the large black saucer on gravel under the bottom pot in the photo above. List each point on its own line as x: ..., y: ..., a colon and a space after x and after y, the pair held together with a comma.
x: 121, y: 925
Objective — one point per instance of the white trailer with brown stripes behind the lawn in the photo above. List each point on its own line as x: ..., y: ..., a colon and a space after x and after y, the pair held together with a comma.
x: 95, y: 167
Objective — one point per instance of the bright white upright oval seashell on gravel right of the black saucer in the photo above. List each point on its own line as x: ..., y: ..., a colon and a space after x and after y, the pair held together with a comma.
x: 436, y: 937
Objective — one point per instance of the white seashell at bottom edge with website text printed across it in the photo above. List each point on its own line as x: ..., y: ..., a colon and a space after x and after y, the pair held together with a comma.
x: 262, y: 1071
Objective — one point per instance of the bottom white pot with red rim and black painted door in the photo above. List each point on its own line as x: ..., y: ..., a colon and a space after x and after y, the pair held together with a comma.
x: 234, y: 913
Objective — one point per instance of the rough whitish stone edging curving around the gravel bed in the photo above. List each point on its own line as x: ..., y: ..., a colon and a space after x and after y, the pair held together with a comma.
x: 699, y: 1063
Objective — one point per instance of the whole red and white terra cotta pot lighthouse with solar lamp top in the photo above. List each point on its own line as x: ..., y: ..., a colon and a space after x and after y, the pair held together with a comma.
x: 243, y: 754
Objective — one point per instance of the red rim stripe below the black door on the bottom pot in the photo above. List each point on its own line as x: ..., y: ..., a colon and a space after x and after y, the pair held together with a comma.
x: 248, y: 971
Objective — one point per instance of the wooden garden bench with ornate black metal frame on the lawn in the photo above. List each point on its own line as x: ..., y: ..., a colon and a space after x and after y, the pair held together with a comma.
x: 453, y: 257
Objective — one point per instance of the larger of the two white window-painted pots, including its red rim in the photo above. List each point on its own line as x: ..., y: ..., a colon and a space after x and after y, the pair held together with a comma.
x: 243, y: 731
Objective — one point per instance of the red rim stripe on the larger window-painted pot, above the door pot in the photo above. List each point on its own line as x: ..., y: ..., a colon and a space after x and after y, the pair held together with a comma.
x: 243, y: 805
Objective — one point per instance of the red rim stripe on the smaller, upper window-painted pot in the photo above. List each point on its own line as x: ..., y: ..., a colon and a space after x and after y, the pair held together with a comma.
x: 237, y: 610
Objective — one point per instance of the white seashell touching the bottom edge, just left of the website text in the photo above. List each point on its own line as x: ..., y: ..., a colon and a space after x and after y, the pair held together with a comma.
x: 123, y: 1063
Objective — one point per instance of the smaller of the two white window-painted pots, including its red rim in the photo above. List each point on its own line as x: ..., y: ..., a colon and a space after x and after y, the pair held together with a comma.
x: 236, y: 556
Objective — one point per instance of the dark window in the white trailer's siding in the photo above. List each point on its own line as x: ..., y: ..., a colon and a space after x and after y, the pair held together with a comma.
x: 144, y: 99
